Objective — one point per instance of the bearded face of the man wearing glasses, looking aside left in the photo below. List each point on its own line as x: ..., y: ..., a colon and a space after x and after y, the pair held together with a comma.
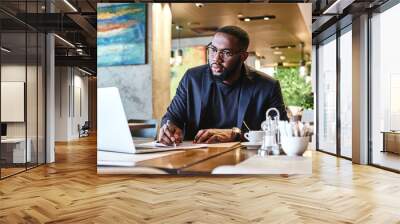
x: 224, y: 54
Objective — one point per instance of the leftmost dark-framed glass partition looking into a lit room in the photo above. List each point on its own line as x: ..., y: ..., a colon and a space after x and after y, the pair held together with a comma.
x: 22, y: 77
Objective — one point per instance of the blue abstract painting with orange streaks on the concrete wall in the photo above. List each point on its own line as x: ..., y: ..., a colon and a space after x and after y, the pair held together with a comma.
x: 121, y: 34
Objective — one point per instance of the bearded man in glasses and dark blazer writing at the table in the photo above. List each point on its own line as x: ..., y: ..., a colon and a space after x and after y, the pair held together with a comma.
x: 214, y: 102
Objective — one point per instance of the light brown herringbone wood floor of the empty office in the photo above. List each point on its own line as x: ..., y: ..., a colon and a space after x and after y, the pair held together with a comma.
x: 70, y: 191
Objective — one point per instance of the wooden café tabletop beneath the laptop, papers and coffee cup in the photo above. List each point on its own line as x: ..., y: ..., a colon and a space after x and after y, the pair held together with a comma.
x: 232, y: 157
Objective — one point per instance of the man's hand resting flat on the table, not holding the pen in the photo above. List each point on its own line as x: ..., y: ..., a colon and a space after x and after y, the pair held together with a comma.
x: 214, y: 136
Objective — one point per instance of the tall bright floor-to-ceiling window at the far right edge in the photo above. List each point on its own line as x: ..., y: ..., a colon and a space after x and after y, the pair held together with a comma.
x: 385, y: 88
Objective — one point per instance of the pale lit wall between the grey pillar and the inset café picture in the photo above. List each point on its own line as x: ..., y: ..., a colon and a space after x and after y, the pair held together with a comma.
x: 69, y: 85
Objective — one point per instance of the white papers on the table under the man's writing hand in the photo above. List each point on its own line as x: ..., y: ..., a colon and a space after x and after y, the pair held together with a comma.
x: 158, y: 147
